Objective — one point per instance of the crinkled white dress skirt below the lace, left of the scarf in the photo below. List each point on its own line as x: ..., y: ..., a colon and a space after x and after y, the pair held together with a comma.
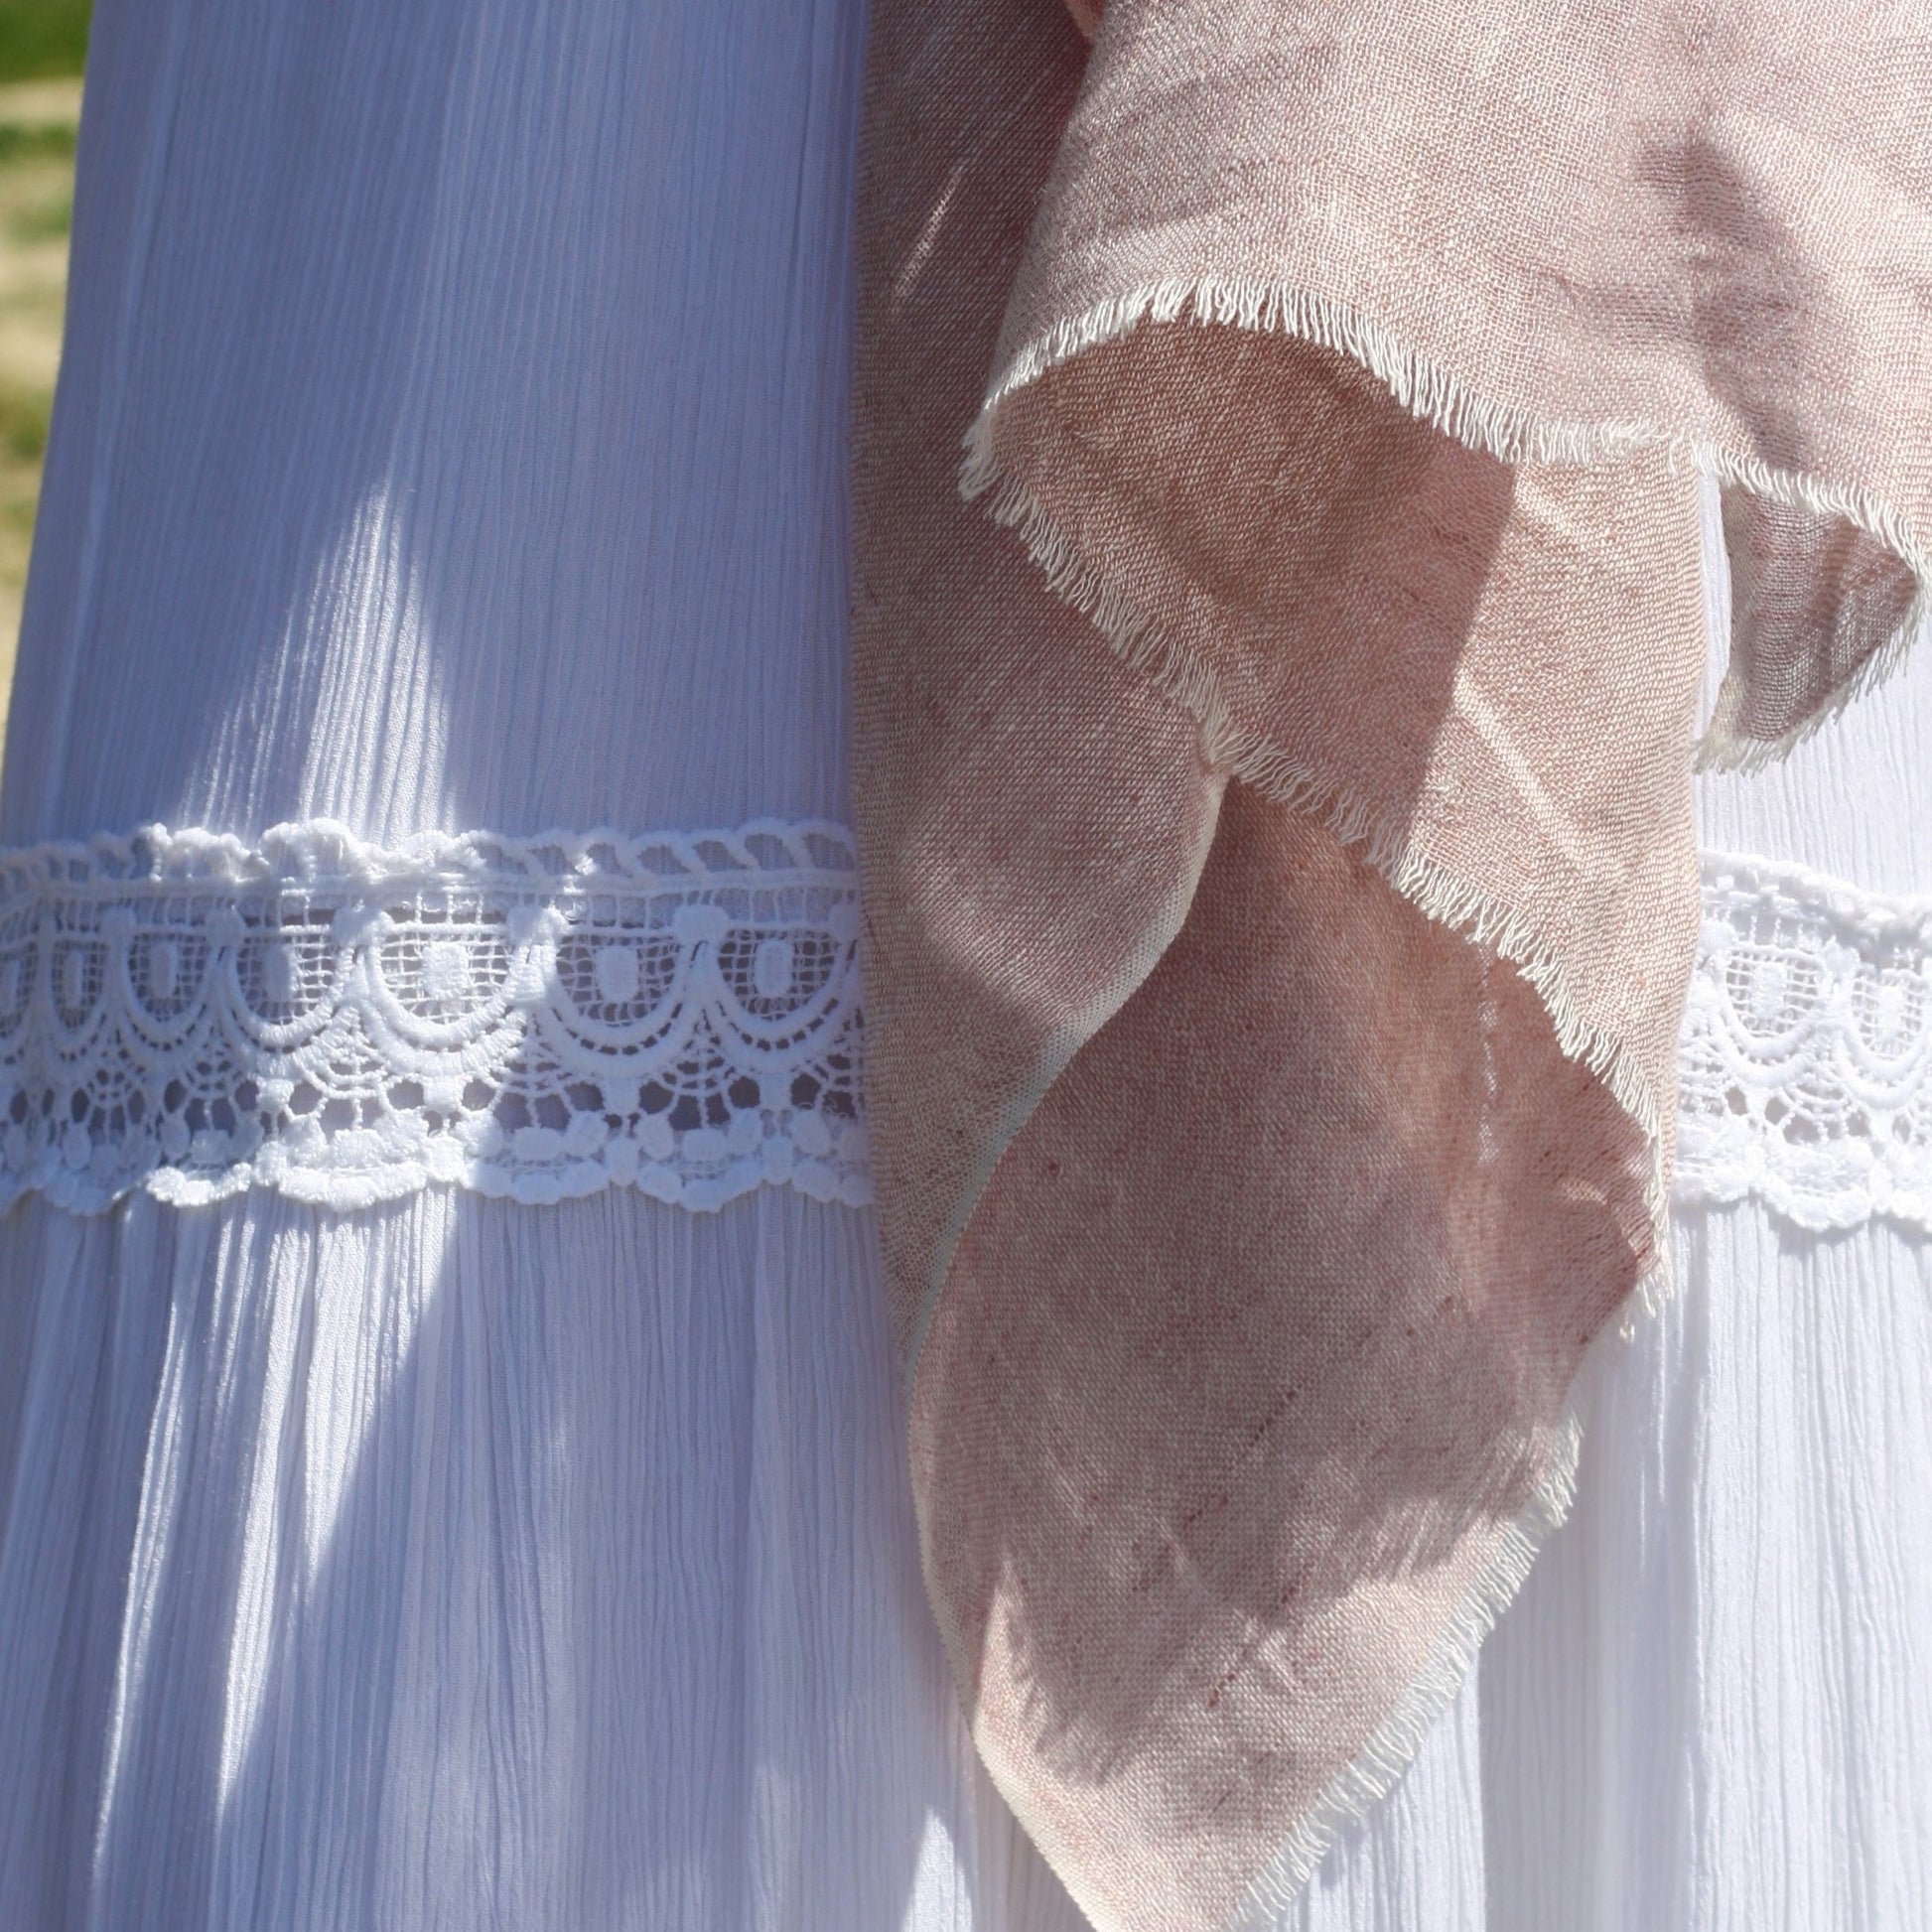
x: 461, y: 1566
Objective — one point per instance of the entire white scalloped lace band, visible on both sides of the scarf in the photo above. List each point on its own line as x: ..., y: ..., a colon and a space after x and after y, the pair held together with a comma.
x: 546, y: 1017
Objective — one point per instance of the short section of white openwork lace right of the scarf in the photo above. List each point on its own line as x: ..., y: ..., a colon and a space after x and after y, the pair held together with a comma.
x: 1804, y: 1065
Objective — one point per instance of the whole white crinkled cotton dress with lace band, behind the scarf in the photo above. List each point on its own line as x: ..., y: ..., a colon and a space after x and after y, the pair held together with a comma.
x: 449, y: 1458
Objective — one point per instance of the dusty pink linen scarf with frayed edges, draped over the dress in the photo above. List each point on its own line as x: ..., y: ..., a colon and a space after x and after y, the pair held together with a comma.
x: 1274, y: 795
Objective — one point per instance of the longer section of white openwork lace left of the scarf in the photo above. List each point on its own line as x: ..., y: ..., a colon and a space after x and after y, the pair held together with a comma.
x: 534, y: 1019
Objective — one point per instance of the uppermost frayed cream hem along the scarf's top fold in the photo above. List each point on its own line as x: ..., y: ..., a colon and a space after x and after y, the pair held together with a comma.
x: 1512, y: 436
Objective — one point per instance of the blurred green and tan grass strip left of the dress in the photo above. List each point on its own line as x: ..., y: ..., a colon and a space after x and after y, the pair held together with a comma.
x: 42, y: 49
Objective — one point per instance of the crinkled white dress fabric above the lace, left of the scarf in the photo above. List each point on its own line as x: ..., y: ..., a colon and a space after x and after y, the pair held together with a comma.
x: 451, y: 424
